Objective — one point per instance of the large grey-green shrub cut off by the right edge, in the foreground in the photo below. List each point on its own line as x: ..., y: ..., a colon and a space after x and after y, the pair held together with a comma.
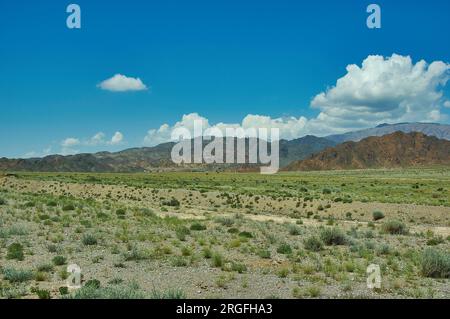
x: 435, y: 263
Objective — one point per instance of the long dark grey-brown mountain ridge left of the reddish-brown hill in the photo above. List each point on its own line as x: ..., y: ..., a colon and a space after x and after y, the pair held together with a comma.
x: 151, y: 159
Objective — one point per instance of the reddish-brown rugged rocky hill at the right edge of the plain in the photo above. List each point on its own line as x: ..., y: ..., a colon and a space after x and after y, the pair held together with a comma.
x: 394, y: 150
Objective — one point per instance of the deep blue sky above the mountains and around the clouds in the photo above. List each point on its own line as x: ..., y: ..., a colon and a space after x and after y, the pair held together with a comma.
x: 221, y: 59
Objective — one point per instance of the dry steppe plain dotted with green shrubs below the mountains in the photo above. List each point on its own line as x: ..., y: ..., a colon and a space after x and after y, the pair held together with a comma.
x: 203, y: 235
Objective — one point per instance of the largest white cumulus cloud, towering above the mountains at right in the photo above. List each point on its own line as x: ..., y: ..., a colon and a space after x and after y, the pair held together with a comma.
x: 391, y: 89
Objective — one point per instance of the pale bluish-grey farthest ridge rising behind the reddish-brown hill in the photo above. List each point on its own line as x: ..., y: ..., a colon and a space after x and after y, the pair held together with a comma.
x: 441, y: 131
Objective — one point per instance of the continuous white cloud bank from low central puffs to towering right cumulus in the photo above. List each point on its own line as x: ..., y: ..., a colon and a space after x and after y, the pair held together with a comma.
x: 382, y: 90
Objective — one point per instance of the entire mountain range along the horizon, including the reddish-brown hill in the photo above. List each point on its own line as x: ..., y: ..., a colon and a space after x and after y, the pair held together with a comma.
x: 309, y: 152
